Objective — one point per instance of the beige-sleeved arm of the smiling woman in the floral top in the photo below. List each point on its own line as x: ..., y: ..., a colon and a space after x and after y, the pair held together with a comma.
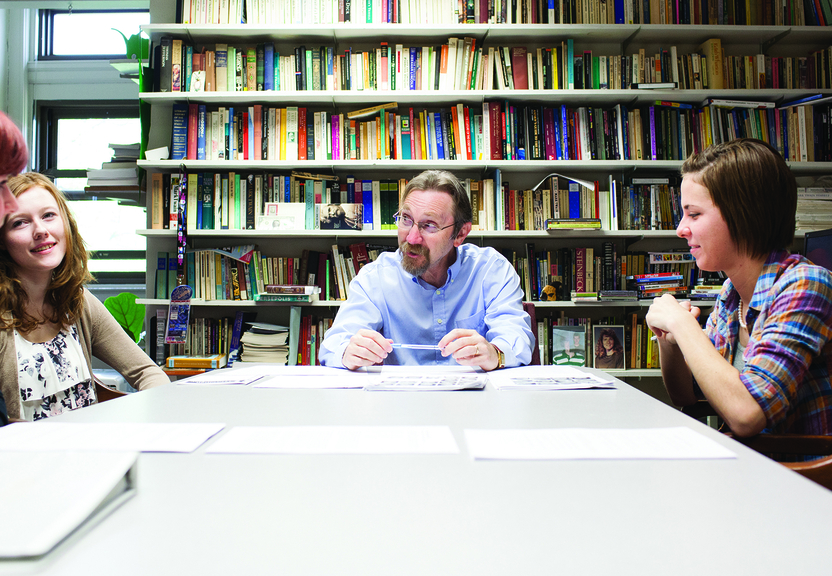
x: 111, y: 344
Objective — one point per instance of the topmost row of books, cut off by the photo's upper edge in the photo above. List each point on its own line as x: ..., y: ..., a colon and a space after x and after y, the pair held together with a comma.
x: 286, y: 12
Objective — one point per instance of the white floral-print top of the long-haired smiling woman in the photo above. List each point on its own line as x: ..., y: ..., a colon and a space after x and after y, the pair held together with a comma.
x: 53, y: 376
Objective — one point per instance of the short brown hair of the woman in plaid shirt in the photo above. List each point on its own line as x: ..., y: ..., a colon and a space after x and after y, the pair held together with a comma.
x: 753, y: 188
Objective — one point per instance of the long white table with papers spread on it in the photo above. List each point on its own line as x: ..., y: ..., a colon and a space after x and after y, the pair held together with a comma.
x: 442, y: 515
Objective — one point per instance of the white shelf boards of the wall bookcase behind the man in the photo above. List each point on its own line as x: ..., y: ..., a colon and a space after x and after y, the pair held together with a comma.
x: 621, y: 39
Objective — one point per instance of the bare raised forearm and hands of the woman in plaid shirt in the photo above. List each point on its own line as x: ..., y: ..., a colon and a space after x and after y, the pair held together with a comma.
x: 719, y: 381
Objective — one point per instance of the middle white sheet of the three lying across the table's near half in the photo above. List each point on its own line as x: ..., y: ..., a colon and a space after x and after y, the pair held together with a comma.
x: 336, y: 440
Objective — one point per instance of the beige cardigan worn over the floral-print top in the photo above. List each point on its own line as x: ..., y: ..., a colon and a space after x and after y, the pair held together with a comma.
x: 100, y: 336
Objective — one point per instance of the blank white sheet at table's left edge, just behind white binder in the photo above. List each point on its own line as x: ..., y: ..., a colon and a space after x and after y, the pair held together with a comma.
x: 105, y: 437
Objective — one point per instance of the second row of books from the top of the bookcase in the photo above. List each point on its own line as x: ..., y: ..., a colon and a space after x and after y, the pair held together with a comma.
x: 462, y: 64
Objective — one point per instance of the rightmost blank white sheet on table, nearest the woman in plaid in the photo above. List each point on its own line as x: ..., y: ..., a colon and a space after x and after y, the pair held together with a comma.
x: 593, y: 443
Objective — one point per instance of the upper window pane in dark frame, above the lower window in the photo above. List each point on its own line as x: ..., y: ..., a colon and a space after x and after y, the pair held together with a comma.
x: 82, y: 34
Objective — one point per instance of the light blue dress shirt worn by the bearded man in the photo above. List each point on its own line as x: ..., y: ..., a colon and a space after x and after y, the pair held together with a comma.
x: 482, y: 293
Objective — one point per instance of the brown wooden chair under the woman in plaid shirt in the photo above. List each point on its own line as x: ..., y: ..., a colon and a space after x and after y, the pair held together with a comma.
x: 819, y: 471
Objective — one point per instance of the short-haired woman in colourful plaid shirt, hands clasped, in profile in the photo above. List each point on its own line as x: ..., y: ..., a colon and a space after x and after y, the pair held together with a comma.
x: 764, y: 359
